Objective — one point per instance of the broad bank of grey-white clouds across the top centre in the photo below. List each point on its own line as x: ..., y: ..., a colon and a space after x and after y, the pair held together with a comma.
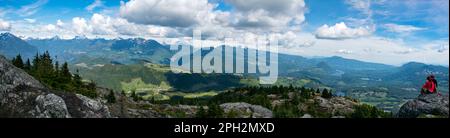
x: 184, y: 15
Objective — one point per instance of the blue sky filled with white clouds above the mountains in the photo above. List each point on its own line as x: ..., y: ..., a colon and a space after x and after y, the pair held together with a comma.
x: 392, y: 32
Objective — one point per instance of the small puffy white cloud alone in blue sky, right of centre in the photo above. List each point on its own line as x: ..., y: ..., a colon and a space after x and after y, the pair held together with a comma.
x: 341, y: 31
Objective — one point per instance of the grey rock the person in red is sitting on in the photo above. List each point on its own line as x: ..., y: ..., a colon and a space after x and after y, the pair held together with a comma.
x: 427, y: 105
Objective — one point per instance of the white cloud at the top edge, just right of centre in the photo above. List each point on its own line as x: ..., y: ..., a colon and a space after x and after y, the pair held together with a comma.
x: 269, y: 14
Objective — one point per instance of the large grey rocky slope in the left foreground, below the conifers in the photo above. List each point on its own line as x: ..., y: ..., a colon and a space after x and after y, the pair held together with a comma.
x: 23, y: 96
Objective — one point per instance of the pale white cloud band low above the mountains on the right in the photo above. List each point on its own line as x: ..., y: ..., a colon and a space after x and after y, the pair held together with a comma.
x: 373, y: 49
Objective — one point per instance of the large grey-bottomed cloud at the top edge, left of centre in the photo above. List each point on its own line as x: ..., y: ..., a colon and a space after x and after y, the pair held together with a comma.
x: 172, y: 13
